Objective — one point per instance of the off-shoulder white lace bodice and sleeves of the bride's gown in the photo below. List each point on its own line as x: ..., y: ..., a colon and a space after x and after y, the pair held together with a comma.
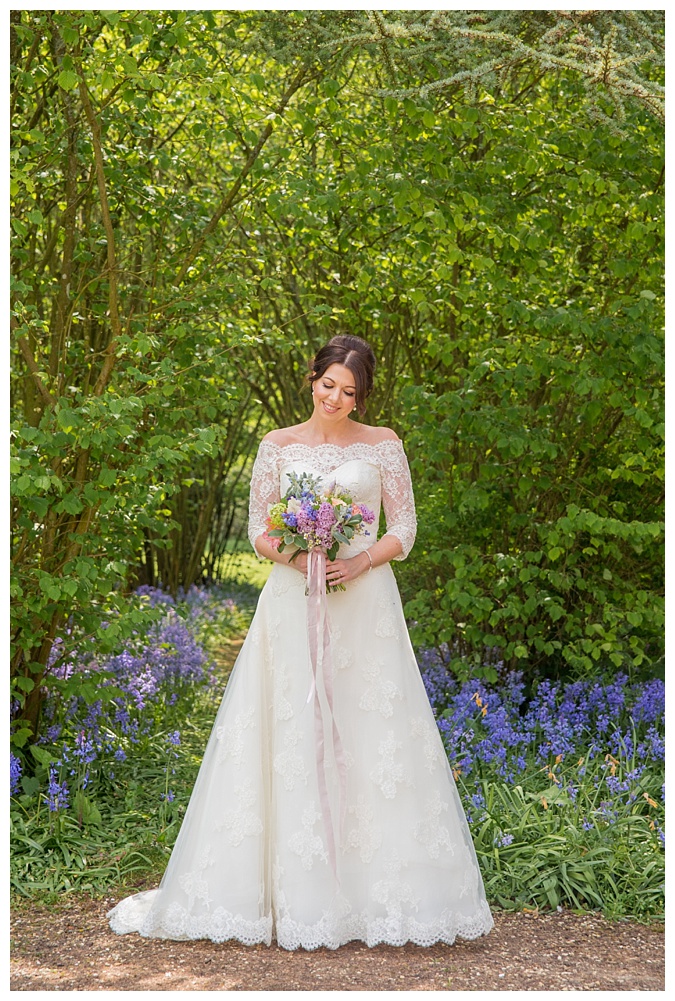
x: 375, y: 475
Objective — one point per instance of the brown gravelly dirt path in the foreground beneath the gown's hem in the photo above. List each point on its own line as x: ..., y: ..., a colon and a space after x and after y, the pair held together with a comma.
x: 72, y: 948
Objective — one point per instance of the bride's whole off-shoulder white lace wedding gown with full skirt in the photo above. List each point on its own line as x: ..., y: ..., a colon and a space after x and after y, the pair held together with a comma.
x: 254, y: 860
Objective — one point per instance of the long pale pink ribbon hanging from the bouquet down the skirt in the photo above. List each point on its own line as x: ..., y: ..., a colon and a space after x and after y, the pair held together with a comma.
x: 322, y: 668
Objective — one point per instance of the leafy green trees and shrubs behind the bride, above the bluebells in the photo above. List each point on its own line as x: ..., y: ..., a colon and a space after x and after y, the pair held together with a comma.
x: 201, y: 200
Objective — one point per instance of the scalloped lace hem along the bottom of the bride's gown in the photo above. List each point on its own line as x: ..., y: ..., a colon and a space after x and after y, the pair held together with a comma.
x: 330, y: 932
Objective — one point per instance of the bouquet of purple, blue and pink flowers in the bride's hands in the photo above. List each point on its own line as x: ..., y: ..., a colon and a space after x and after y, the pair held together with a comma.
x: 311, y: 519
